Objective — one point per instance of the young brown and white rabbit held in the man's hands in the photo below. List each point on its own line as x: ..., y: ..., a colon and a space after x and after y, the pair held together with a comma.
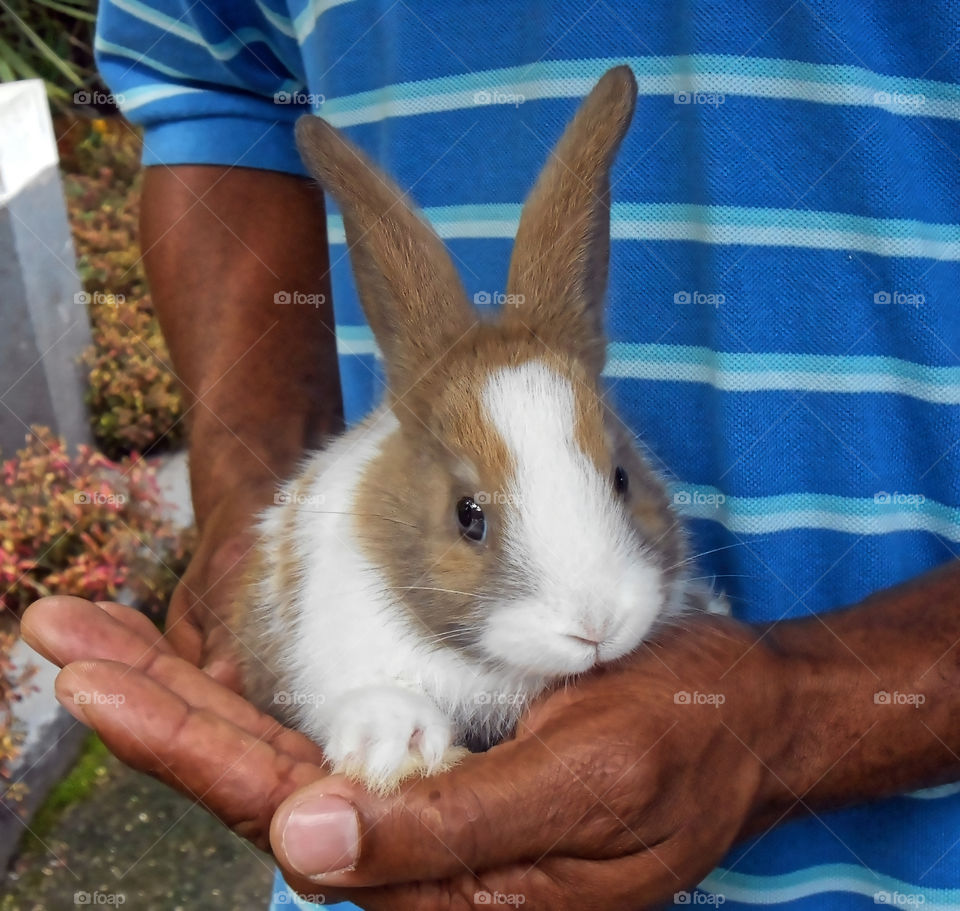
x: 491, y: 529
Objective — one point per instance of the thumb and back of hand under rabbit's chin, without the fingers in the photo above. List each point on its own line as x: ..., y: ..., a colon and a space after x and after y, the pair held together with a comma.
x: 617, y: 792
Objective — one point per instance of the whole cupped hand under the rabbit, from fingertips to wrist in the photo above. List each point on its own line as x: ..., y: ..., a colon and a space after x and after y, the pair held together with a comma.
x: 616, y: 792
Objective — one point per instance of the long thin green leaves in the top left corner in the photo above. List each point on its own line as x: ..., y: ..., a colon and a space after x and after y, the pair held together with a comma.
x: 49, y: 40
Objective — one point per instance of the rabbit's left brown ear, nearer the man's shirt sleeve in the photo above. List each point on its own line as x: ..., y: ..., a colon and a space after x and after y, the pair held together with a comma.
x: 410, y: 291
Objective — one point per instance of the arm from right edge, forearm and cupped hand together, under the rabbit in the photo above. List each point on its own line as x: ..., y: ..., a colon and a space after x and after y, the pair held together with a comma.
x: 604, y: 785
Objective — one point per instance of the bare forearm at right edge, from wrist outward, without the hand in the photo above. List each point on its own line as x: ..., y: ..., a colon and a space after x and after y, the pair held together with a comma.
x: 873, y: 705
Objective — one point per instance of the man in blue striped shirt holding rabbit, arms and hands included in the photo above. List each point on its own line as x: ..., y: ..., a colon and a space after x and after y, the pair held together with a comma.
x: 789, y: 178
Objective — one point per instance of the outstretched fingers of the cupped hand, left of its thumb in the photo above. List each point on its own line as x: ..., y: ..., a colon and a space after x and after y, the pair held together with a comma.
x: 161, y: 714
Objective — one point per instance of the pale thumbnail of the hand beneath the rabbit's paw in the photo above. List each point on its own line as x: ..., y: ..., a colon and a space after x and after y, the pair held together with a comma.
x: 322, y: 836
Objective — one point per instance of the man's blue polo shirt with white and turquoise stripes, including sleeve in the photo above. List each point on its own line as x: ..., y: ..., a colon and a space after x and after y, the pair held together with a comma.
x: 783, y: 315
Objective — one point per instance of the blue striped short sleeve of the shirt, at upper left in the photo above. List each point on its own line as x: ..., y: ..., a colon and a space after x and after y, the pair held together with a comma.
x: 208, y: 83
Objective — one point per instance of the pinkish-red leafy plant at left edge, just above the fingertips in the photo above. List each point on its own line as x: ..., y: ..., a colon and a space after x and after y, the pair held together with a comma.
x: 83, y: 525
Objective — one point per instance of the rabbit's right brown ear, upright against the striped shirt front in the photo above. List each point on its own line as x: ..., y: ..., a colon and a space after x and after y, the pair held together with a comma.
x: 560, y: 258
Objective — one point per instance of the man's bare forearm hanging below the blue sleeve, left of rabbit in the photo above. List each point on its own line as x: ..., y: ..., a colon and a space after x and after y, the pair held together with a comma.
x: 259, y: 378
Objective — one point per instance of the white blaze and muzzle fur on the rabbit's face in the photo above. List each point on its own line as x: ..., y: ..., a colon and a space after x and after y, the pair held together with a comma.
x: 568, y: 535
